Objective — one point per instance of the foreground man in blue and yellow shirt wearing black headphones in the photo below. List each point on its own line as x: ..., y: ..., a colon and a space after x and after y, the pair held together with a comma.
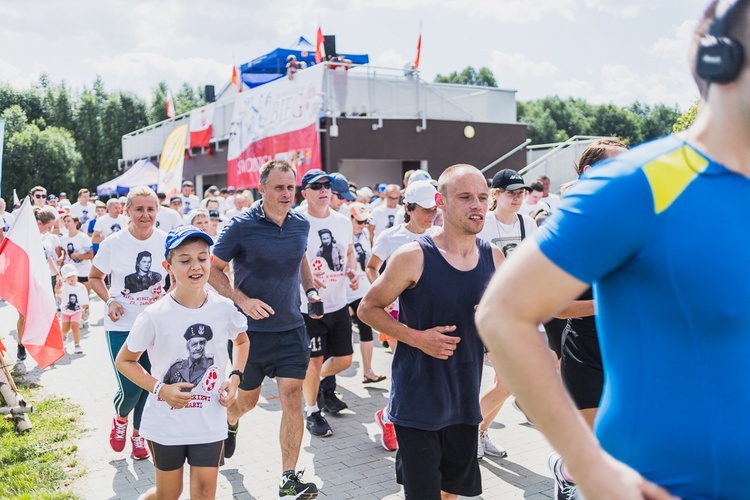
x: 671, y: 282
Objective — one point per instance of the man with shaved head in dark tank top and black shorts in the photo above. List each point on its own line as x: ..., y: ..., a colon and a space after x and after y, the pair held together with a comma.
x: 437, y: 366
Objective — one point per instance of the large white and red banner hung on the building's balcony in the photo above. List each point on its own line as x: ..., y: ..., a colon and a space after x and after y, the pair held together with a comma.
x: 277, y: 120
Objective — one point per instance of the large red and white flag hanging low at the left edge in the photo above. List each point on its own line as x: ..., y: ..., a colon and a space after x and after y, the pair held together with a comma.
x: 25, y: 284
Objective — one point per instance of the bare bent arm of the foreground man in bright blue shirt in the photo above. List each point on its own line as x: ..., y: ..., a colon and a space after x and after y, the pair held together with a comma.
x: 507, y: 319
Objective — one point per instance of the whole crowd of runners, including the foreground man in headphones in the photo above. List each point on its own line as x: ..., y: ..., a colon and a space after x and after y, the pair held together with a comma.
x: 277, y: 287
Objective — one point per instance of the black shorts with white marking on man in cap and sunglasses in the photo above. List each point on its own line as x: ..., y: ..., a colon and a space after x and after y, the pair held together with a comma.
x: 330, y: 335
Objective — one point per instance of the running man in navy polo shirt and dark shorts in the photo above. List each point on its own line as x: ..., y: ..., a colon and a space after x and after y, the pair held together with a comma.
x: 267, y: 245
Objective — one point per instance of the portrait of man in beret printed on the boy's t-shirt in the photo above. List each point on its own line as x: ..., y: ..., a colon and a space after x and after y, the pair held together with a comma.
x: 193, y: 368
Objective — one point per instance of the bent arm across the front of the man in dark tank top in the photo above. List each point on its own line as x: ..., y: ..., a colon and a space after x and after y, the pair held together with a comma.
x: 403, y: 271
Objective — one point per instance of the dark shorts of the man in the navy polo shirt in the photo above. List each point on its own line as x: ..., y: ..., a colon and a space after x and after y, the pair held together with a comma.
x: 276, y: 354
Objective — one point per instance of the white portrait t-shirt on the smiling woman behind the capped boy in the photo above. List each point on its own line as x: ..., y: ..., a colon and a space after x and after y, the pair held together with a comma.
x: 137, y: 279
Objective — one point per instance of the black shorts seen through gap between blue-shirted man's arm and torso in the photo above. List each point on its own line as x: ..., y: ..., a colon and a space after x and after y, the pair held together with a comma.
x: 581, y: 368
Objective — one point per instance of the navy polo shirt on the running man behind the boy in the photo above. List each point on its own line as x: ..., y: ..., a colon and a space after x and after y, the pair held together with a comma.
x: 267, y: 260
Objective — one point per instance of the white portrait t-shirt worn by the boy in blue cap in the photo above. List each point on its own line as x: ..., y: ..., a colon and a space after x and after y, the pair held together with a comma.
x: 168, y: 331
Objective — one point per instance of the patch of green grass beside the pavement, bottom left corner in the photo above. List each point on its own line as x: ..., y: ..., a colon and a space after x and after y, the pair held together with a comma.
x: 41, y: 463
